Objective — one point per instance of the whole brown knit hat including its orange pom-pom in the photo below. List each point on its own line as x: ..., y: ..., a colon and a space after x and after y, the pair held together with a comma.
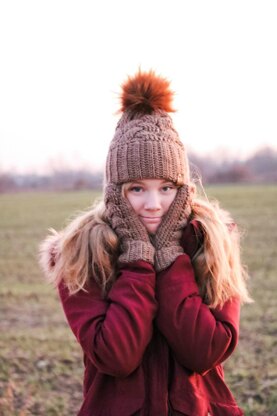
x: 145, y: 144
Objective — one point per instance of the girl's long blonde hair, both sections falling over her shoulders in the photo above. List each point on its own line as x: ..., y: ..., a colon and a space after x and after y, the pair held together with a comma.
x: 89, y: 248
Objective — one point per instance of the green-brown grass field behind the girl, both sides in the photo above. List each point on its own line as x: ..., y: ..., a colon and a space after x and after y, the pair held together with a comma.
x: 40, y: 361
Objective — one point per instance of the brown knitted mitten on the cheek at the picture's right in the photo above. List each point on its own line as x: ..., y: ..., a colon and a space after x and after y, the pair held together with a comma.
x: 167, y: 238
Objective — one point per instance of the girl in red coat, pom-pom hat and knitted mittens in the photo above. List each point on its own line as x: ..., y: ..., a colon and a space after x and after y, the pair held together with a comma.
x: 150, y: 279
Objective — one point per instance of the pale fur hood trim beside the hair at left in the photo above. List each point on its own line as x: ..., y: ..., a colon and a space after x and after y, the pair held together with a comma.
x: 49, y: 254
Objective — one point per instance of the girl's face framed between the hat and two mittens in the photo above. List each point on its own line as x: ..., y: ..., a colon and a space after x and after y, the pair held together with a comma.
x: 151, y: 199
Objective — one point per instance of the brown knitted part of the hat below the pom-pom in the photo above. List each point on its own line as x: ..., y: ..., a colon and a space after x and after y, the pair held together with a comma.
x: 146, y: 147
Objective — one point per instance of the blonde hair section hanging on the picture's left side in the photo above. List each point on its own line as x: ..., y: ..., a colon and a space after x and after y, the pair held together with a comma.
x: 88, y: 247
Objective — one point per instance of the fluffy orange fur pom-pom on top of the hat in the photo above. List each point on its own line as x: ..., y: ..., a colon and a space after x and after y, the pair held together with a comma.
x: 146, y: 92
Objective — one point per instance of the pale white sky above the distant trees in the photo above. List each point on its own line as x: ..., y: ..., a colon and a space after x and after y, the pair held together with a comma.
x: 62, y: 63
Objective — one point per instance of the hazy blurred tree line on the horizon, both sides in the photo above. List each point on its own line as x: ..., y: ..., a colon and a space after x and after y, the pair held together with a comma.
x: 261, y: 167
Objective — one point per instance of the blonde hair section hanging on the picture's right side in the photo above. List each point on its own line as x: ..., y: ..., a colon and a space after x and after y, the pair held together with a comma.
x: 219, y: 272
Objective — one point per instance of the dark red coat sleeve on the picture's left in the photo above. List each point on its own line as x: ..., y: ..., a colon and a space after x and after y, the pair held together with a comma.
x: 115, y: 331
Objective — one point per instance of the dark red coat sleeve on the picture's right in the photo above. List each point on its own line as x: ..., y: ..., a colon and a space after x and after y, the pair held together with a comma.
x: 200, y: 337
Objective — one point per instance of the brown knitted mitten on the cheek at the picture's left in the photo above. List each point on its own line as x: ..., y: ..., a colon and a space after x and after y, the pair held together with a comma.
x: 134, y: 239
